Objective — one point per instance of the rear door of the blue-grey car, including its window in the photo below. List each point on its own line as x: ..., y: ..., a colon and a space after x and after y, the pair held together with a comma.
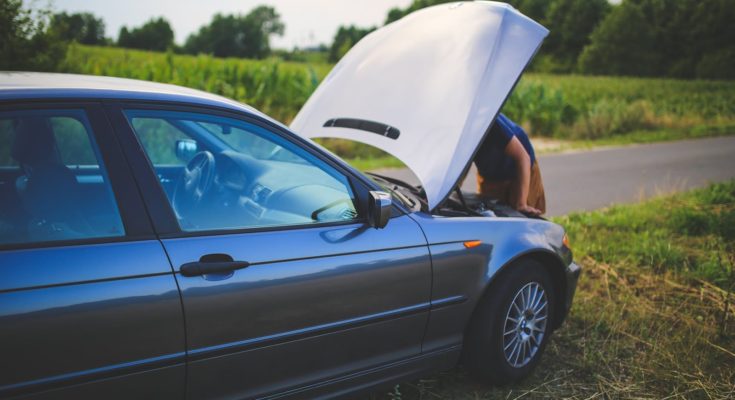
x: 89, y: 306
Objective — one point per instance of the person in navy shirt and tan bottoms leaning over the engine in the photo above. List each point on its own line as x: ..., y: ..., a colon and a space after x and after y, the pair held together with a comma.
x: 508, y: 170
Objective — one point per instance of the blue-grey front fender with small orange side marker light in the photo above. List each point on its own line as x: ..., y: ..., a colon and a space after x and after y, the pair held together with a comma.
x: 464, y: 274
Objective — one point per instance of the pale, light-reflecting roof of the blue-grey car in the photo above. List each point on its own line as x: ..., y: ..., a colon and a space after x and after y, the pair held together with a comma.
x: 41, y: 85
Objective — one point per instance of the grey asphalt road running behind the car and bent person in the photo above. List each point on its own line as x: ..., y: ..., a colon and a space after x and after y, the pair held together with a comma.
x: 598, y: 178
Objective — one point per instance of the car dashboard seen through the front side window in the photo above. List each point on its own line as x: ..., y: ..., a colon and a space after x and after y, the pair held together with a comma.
x: 250, y: 192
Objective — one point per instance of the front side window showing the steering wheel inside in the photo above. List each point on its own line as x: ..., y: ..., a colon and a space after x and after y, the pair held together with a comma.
x: 236, y: 175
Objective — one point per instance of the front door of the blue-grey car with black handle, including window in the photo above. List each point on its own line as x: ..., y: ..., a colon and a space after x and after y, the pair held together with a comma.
x: 309, y: 292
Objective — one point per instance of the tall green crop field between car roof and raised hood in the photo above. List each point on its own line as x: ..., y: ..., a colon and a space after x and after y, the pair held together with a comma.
x: 275, y: 87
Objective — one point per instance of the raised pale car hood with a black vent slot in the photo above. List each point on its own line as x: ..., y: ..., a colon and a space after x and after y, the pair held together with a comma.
x: 426, y: 88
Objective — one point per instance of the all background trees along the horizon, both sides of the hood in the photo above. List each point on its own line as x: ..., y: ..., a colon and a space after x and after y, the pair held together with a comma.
x: 669, y: 38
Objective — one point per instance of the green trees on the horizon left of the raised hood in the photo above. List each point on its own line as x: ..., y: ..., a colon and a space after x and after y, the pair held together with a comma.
x: 36, y: 39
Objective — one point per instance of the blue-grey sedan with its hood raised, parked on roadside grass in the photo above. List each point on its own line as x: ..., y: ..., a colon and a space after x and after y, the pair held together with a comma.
x: 161, y: 242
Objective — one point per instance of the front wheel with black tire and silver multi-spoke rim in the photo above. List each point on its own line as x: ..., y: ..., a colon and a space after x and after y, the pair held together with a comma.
x: 499, y: 350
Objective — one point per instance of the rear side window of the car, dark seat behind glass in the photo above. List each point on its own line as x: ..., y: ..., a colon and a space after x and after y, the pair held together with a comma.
x: 53, y: 184
